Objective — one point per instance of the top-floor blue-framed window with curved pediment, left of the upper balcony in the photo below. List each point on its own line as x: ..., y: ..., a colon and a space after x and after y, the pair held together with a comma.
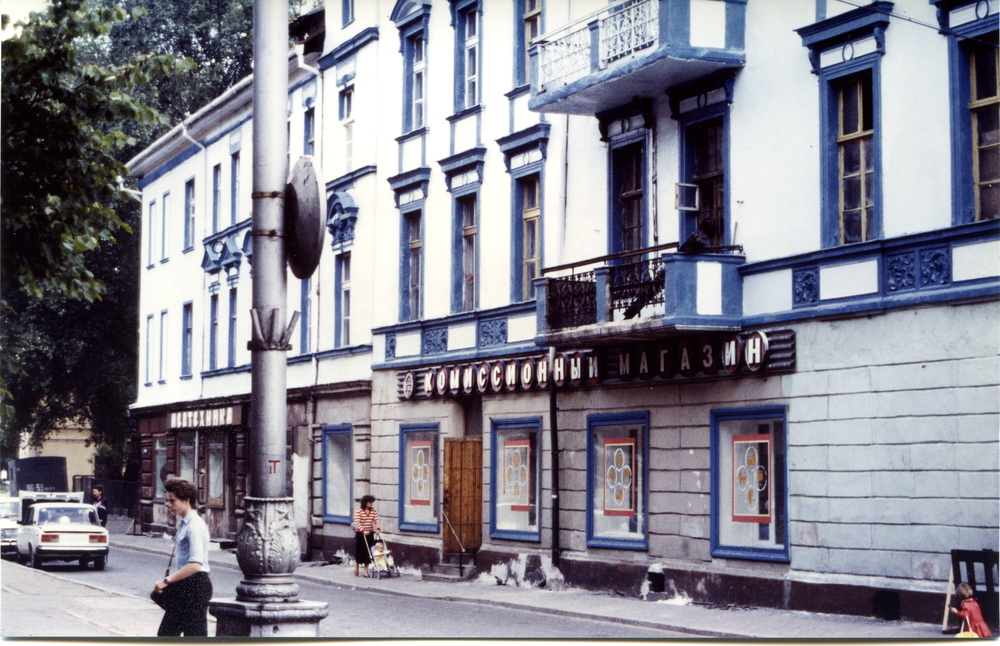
x: 413, y: 20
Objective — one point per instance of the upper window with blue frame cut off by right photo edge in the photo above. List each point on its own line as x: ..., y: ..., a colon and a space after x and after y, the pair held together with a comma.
x: 972, y: 31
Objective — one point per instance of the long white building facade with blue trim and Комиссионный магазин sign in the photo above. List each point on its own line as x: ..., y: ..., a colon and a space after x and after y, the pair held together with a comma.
x: 736, y: 261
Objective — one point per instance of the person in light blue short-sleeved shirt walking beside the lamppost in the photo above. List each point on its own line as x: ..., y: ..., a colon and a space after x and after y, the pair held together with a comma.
x: 187, y: 614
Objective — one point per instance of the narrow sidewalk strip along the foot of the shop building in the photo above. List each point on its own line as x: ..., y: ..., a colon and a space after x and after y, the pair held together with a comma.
x: 696, y: 620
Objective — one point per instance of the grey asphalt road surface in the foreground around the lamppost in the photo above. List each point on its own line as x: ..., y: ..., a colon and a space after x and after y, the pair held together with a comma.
x: 36, y: 605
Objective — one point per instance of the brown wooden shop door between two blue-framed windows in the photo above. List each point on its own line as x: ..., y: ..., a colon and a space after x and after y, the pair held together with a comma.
x: 463, y: 494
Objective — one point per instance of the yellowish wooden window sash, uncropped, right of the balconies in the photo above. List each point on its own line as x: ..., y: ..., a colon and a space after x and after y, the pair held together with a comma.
x: 855, y: 142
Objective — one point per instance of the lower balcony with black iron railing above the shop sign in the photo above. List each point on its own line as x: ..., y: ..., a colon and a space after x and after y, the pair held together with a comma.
x: 640, y: 295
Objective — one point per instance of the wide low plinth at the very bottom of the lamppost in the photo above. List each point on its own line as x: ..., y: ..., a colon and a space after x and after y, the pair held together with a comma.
x: 236, y: 618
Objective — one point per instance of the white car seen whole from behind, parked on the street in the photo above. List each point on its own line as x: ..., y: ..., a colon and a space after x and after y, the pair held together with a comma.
x: 62, y: 531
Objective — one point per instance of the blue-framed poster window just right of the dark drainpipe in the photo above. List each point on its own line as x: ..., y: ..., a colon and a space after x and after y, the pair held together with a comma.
x: 617, y: 490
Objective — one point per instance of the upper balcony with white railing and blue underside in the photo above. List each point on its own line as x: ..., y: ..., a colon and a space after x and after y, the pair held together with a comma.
x: 635, y: 48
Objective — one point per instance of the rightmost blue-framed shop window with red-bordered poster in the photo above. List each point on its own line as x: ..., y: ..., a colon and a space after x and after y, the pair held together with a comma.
x: 749, y: 472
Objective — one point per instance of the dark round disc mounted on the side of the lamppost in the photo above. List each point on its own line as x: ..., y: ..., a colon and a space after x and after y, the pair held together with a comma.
x: 305, y: 218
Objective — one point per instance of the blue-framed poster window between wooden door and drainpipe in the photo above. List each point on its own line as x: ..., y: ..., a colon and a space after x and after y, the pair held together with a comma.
x: 516, y: 476
